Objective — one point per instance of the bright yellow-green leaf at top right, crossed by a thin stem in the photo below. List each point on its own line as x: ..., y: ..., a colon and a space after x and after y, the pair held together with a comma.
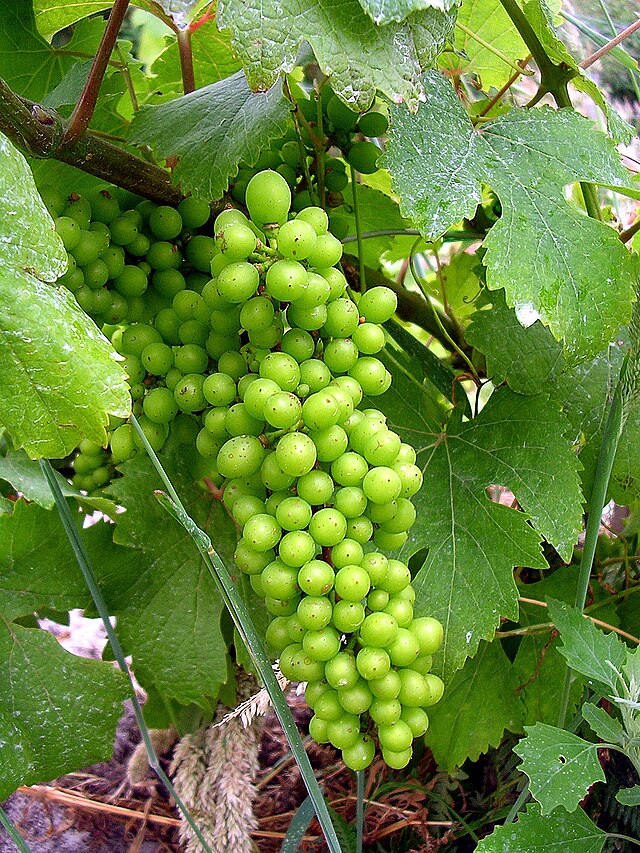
x: 488, y: 20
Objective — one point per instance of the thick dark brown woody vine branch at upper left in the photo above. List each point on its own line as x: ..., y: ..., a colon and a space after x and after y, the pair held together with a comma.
x: 38, y: 132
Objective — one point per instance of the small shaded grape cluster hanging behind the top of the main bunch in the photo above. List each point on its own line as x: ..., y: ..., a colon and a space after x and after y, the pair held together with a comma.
x: 347, y: 137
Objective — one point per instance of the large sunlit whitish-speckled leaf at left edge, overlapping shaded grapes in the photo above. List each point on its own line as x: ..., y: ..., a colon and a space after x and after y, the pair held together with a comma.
x: 49, y: 346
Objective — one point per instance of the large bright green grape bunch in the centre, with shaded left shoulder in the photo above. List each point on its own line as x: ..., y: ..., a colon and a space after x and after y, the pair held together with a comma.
x: 260, y: 373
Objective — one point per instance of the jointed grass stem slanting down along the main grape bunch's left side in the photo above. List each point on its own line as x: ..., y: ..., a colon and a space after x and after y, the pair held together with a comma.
x: 252, y: 640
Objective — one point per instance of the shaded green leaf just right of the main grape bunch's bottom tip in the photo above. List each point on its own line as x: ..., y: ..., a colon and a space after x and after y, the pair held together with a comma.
x: 473, y: 715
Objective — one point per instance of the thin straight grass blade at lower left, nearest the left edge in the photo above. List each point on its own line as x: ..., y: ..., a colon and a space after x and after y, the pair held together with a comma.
x: 87, y: 572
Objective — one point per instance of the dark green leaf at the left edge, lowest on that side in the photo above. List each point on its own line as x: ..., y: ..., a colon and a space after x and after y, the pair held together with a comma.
x: 57, y: 712
